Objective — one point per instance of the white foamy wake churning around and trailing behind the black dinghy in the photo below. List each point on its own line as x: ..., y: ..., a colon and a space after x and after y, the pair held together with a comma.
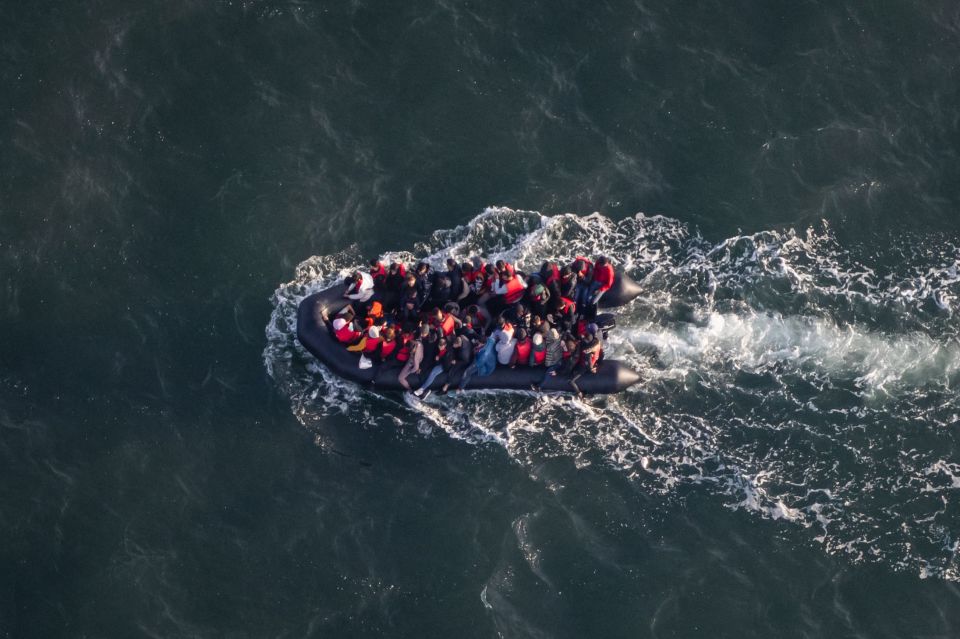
x: 785, y: 374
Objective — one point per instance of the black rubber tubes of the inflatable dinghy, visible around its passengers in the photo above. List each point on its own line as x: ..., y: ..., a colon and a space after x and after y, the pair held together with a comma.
x: 612, y: 376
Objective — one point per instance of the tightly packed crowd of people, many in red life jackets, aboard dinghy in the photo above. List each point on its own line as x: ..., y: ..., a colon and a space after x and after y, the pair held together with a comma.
x: 464, y: 320
